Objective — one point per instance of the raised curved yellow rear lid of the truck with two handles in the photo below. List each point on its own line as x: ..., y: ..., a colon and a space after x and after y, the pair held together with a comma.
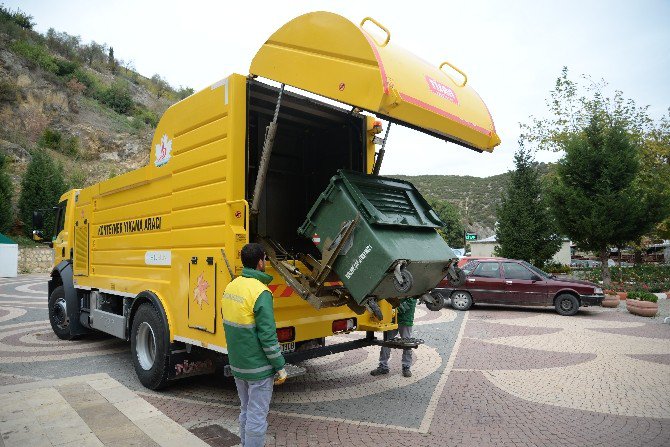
x: 326, y: 54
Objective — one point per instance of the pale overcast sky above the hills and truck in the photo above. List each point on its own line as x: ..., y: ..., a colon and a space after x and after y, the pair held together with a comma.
x: 512, y: 51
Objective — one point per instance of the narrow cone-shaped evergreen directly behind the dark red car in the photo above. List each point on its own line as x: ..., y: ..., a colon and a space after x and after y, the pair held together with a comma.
x: 525, y: 229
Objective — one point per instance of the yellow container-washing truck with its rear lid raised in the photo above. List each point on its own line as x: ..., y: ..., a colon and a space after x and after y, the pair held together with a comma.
x: 145, y: 256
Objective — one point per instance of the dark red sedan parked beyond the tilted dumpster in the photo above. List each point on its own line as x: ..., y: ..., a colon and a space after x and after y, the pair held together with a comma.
x: 518, y: 283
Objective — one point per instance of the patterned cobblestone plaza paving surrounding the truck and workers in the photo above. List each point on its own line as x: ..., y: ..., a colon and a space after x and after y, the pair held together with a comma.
x: 490, y: 376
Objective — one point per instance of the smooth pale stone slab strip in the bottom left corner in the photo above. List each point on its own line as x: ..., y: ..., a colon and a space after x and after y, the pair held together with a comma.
x: 83, y: 411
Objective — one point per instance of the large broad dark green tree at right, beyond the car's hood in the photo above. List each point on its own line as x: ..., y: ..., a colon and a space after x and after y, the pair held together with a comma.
x: 596, y: 196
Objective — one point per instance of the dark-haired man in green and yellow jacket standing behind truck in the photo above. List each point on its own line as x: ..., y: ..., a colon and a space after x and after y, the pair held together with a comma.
x: 253, y: 349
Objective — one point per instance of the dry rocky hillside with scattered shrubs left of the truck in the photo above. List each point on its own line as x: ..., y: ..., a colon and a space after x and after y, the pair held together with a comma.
x: 76, y: 101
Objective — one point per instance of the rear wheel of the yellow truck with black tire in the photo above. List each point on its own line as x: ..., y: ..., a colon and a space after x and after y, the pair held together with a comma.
x: 149, y: 347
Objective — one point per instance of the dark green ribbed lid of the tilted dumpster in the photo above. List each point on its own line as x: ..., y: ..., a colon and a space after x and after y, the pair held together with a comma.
x: 388, y: 201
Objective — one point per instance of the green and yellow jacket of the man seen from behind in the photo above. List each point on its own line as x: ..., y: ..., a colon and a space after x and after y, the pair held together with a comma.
x: 249, y: 323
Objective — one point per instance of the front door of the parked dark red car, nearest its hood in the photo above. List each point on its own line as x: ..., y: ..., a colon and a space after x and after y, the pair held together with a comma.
x: 523, y: 287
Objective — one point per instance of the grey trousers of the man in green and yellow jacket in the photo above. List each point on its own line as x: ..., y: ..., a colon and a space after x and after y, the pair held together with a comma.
x: 255, y: 396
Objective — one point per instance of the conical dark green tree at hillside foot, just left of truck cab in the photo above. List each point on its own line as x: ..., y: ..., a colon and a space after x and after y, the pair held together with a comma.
x: 41, y: 188
